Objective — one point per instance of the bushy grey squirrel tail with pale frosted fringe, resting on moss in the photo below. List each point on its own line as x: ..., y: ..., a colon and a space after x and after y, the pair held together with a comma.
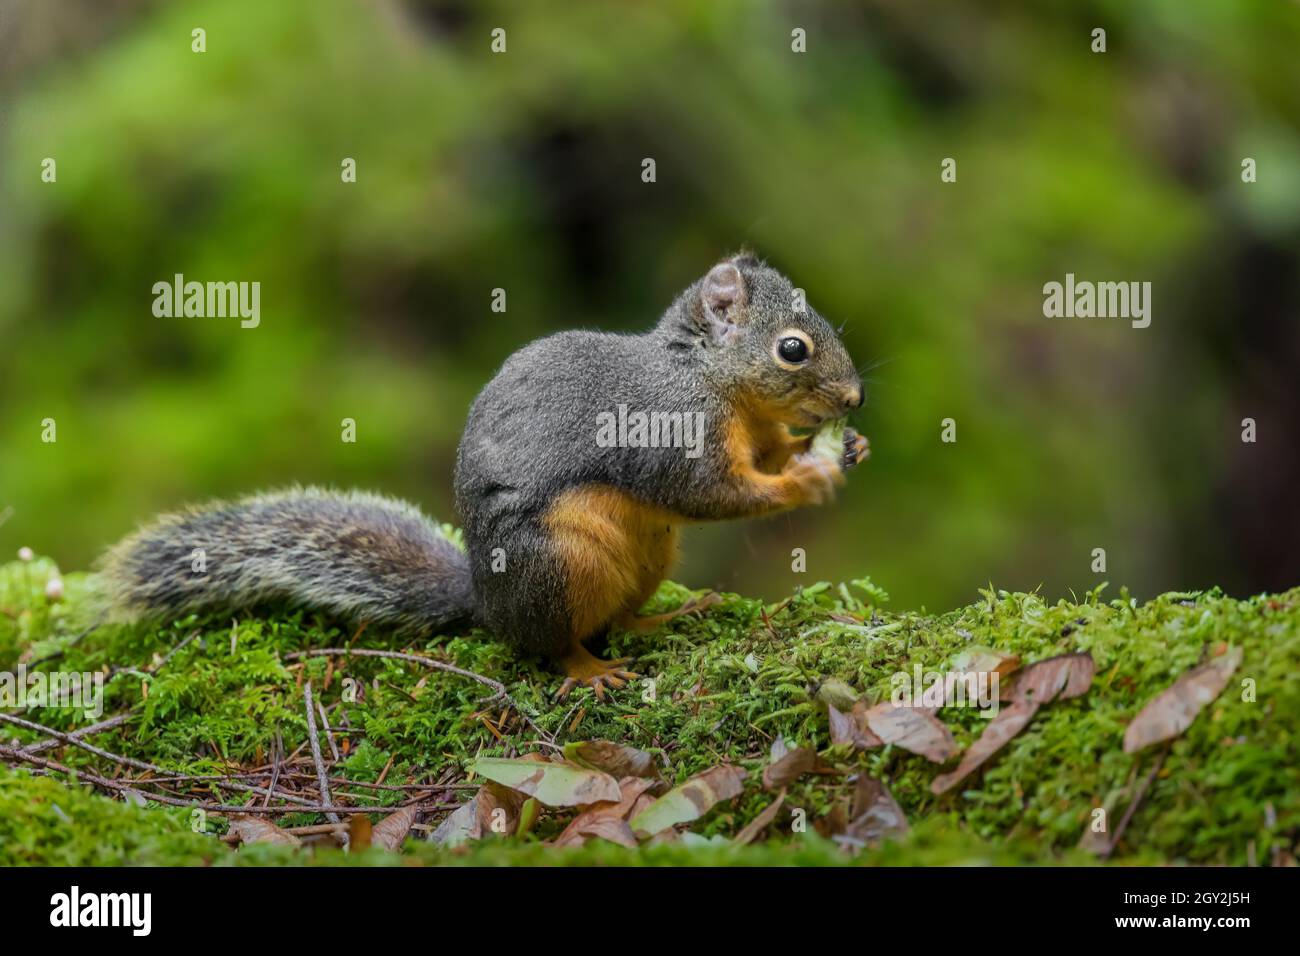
x: 359, y: 556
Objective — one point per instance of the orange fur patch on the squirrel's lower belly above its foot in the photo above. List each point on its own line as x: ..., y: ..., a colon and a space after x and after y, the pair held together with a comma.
x: 616, y: 551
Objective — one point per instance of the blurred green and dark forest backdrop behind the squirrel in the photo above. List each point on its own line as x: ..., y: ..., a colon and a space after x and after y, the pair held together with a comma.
x: 523, y: 171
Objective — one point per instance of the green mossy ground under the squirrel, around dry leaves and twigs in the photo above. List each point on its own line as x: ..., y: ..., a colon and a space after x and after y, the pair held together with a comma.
x: 725, y: 687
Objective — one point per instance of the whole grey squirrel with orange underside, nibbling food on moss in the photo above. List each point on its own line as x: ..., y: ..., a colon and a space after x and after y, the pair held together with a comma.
x: 566, y: 535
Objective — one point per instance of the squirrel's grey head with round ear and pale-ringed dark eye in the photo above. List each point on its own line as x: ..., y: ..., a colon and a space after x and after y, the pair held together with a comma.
x: 770, y: 348
